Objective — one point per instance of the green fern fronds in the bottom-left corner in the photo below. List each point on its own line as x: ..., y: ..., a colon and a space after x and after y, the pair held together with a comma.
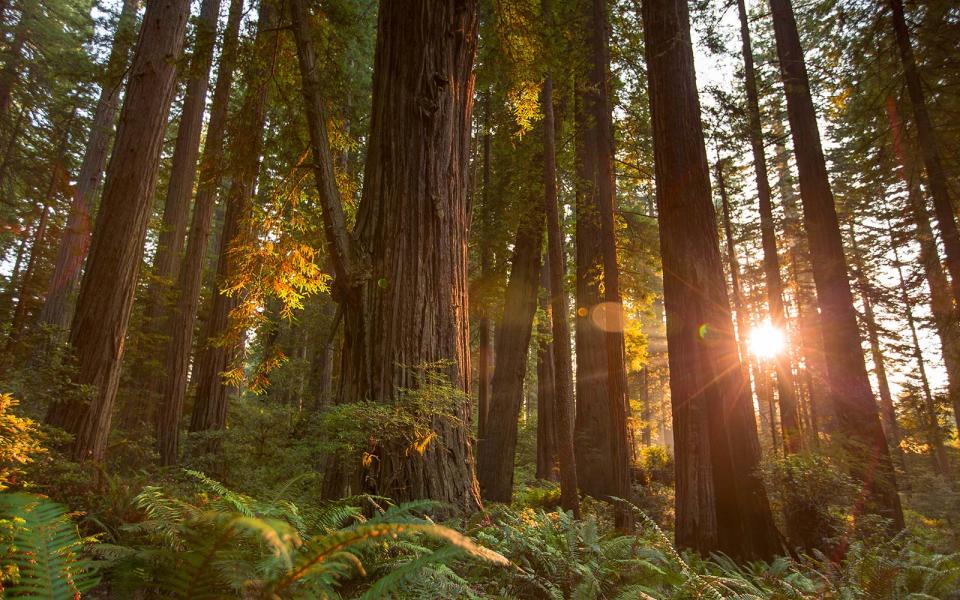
x: 40, y: 544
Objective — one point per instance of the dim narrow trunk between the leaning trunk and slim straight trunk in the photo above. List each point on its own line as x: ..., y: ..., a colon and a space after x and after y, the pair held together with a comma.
x: 546, y: 392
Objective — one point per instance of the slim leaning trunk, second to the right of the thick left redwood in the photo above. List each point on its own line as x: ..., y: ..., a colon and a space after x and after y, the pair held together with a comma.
x: 181, y: 321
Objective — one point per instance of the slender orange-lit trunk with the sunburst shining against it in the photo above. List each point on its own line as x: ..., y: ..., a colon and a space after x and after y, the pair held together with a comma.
x: 789, y: 410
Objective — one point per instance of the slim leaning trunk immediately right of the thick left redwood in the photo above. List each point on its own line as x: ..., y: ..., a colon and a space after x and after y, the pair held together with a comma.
x: 176, y: 210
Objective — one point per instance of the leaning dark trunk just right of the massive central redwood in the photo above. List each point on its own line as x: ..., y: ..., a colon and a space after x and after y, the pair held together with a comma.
x: 497, y: 449
